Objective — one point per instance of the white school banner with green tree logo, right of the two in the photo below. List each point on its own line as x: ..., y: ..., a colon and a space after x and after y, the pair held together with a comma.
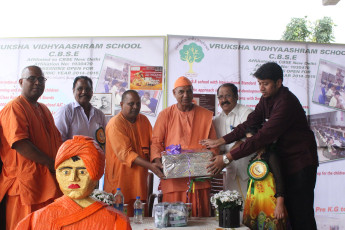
x: 310, y: 70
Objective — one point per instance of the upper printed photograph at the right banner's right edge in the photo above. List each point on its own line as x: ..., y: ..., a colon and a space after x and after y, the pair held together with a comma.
x: 329, y: 87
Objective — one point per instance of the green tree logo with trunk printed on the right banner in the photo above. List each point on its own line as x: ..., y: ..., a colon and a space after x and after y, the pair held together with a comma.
x: 191, y: 53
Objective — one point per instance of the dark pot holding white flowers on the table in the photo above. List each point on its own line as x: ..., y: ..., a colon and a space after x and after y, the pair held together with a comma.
x: 229, y: 218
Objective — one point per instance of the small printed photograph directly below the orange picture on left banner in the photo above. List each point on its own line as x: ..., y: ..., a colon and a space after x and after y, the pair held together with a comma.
x: 149, y: 101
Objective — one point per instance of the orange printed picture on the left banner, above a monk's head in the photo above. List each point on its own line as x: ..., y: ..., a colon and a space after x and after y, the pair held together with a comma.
x: 146, y: 77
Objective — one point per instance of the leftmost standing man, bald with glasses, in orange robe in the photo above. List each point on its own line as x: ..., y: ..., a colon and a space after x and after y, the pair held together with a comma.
x: 29, y: 143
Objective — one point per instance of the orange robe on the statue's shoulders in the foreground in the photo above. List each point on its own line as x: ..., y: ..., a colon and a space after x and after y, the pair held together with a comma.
x: 65, y: 214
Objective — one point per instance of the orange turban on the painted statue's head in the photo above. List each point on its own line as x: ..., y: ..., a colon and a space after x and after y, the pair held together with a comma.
x: 88, y: 150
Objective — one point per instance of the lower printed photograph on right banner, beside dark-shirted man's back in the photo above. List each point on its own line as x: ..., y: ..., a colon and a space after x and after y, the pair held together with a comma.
x: 329, y: 130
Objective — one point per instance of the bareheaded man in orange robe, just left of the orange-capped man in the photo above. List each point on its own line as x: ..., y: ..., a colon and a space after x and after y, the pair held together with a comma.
x: 128, y: 139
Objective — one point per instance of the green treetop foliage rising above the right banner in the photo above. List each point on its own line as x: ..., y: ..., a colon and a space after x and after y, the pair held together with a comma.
x: 301, y: 29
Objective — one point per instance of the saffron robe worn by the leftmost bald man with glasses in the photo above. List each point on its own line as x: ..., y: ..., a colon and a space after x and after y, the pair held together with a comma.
x: 23, y: 181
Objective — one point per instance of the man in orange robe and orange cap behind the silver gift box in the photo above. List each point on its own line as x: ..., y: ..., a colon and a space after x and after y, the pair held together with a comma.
x: 183, y: 123
